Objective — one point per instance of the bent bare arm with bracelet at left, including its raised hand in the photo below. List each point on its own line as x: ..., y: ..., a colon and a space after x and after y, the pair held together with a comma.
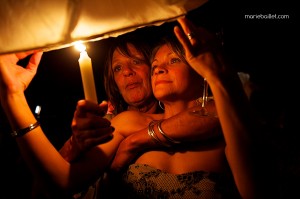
x: 41, y: 156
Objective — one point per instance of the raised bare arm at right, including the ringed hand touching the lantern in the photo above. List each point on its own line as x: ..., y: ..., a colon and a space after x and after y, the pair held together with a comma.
x: 238, y: 123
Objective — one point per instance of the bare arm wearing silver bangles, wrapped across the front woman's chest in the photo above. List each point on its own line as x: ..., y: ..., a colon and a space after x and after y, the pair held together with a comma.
x: 184, y: 127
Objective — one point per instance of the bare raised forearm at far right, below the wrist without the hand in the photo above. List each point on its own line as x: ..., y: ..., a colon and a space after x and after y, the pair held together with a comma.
x: 238, y: 125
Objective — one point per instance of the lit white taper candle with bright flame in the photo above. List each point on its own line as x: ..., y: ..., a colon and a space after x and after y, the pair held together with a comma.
x: 87, y: 76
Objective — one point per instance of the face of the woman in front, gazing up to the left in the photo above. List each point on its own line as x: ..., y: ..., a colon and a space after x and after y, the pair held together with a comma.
x: 172, y: 78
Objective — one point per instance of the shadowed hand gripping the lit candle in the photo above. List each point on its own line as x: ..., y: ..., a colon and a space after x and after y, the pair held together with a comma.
x: 89, y: 129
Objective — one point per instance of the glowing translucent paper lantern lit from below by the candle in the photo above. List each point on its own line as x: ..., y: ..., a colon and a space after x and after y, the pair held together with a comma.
x: 54, y: 24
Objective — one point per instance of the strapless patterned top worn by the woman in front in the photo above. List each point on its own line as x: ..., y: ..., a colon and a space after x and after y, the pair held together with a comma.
x: 143, y: 181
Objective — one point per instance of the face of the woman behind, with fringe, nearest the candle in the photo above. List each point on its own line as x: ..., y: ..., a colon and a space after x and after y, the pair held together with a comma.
x: 132, y: 76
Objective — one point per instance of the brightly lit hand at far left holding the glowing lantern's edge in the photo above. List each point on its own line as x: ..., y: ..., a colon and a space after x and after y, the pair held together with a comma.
x: 15, y: 78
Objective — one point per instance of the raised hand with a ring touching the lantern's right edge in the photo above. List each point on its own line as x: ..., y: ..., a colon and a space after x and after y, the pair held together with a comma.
x: 202, y: 48
